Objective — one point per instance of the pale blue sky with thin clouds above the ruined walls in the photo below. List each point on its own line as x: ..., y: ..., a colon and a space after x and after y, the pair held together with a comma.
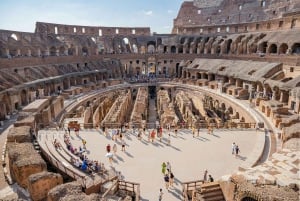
x: 21, y: 15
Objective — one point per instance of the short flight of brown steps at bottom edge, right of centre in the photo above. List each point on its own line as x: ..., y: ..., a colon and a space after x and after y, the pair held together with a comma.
x: 210, y: 192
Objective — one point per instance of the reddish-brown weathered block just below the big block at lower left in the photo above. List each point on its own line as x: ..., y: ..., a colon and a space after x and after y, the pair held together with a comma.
x: 39, y: 184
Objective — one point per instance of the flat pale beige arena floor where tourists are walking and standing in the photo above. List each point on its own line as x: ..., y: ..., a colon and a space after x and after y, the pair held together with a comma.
x: 188, y: 156
